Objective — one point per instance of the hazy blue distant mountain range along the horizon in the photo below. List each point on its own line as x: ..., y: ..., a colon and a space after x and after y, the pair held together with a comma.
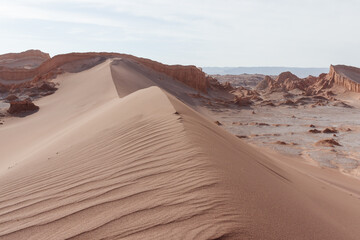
x: 300, y: 72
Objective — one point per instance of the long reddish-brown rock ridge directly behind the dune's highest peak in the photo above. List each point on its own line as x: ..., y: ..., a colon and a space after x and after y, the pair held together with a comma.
x: 72, y: 62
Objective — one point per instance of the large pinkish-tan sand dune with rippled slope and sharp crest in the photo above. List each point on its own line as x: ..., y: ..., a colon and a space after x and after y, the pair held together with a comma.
x: 93, y: 165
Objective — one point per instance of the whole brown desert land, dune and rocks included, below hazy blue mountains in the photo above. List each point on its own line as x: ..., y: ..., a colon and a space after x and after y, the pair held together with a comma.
x: 112, y: 146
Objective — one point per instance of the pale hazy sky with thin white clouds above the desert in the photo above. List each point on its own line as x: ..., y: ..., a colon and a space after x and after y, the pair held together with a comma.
x: 300, y: 33
